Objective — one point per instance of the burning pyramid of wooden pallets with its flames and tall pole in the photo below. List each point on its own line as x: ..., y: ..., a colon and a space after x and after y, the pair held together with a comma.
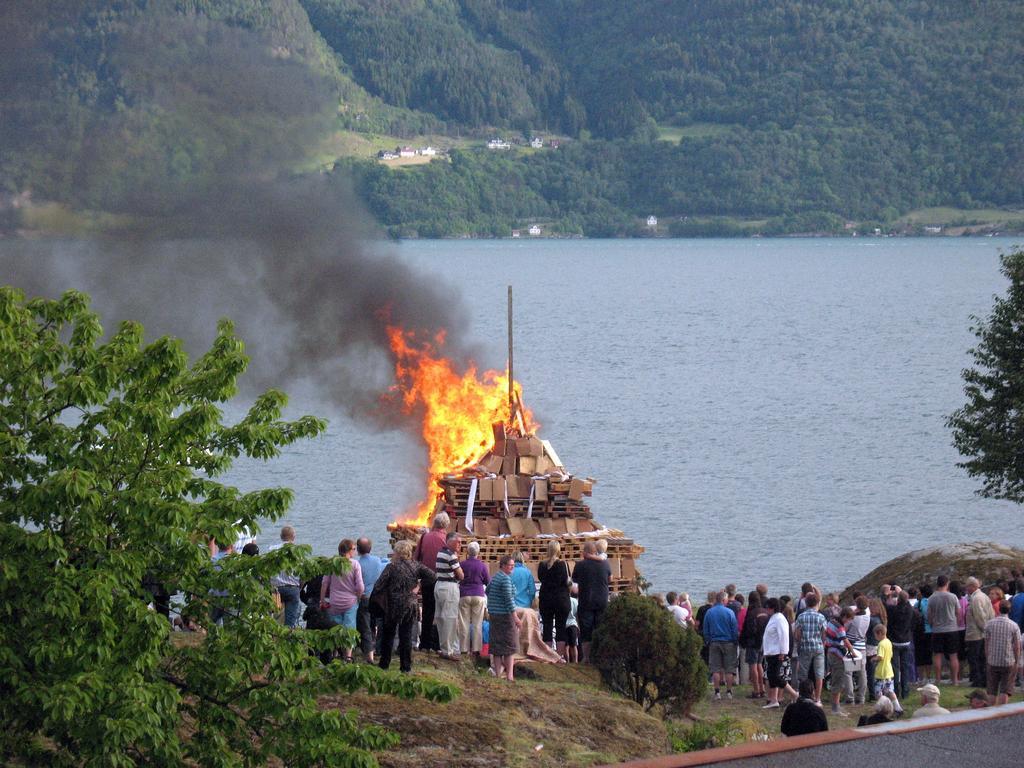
x: 500, y: 485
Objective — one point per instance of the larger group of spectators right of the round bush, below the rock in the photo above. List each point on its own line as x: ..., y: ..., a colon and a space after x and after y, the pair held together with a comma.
x: 873, y: 650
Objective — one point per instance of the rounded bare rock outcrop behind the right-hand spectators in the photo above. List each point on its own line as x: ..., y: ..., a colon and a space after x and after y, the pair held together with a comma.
x: 987, y: 561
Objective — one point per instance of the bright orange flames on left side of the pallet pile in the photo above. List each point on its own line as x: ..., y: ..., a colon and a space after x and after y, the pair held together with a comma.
x: 458, y: 411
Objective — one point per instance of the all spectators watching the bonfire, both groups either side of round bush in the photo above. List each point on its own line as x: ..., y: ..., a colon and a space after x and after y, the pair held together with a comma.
x: 438, y: 595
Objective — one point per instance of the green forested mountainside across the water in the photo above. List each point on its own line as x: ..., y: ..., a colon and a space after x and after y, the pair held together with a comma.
x: 801, y: 116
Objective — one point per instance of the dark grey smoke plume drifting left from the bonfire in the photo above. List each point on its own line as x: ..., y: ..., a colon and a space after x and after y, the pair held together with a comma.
x: 223, y: 229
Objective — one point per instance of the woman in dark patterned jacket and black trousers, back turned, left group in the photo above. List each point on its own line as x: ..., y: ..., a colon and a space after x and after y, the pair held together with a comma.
x: 398, y: 588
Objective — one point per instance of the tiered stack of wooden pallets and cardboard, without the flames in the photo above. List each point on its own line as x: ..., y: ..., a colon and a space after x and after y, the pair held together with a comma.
x: 518, y: 498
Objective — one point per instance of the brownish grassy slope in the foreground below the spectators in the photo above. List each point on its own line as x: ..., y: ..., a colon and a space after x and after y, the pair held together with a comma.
x: 563, y: 710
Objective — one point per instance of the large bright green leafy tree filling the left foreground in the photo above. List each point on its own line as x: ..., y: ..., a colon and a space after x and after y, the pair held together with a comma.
x: 109, y: 457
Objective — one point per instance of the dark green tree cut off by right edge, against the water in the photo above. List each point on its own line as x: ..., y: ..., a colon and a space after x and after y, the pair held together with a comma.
x: 990, y: 428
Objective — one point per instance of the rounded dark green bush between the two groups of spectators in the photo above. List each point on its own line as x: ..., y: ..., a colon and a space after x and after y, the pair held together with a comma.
x: 645, y: 655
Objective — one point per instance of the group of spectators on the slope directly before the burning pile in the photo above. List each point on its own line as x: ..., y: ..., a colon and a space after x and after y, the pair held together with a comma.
x: 438, y: 596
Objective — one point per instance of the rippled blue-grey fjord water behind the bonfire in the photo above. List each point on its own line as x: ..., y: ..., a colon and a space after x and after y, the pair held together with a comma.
x: 754, y: 410
